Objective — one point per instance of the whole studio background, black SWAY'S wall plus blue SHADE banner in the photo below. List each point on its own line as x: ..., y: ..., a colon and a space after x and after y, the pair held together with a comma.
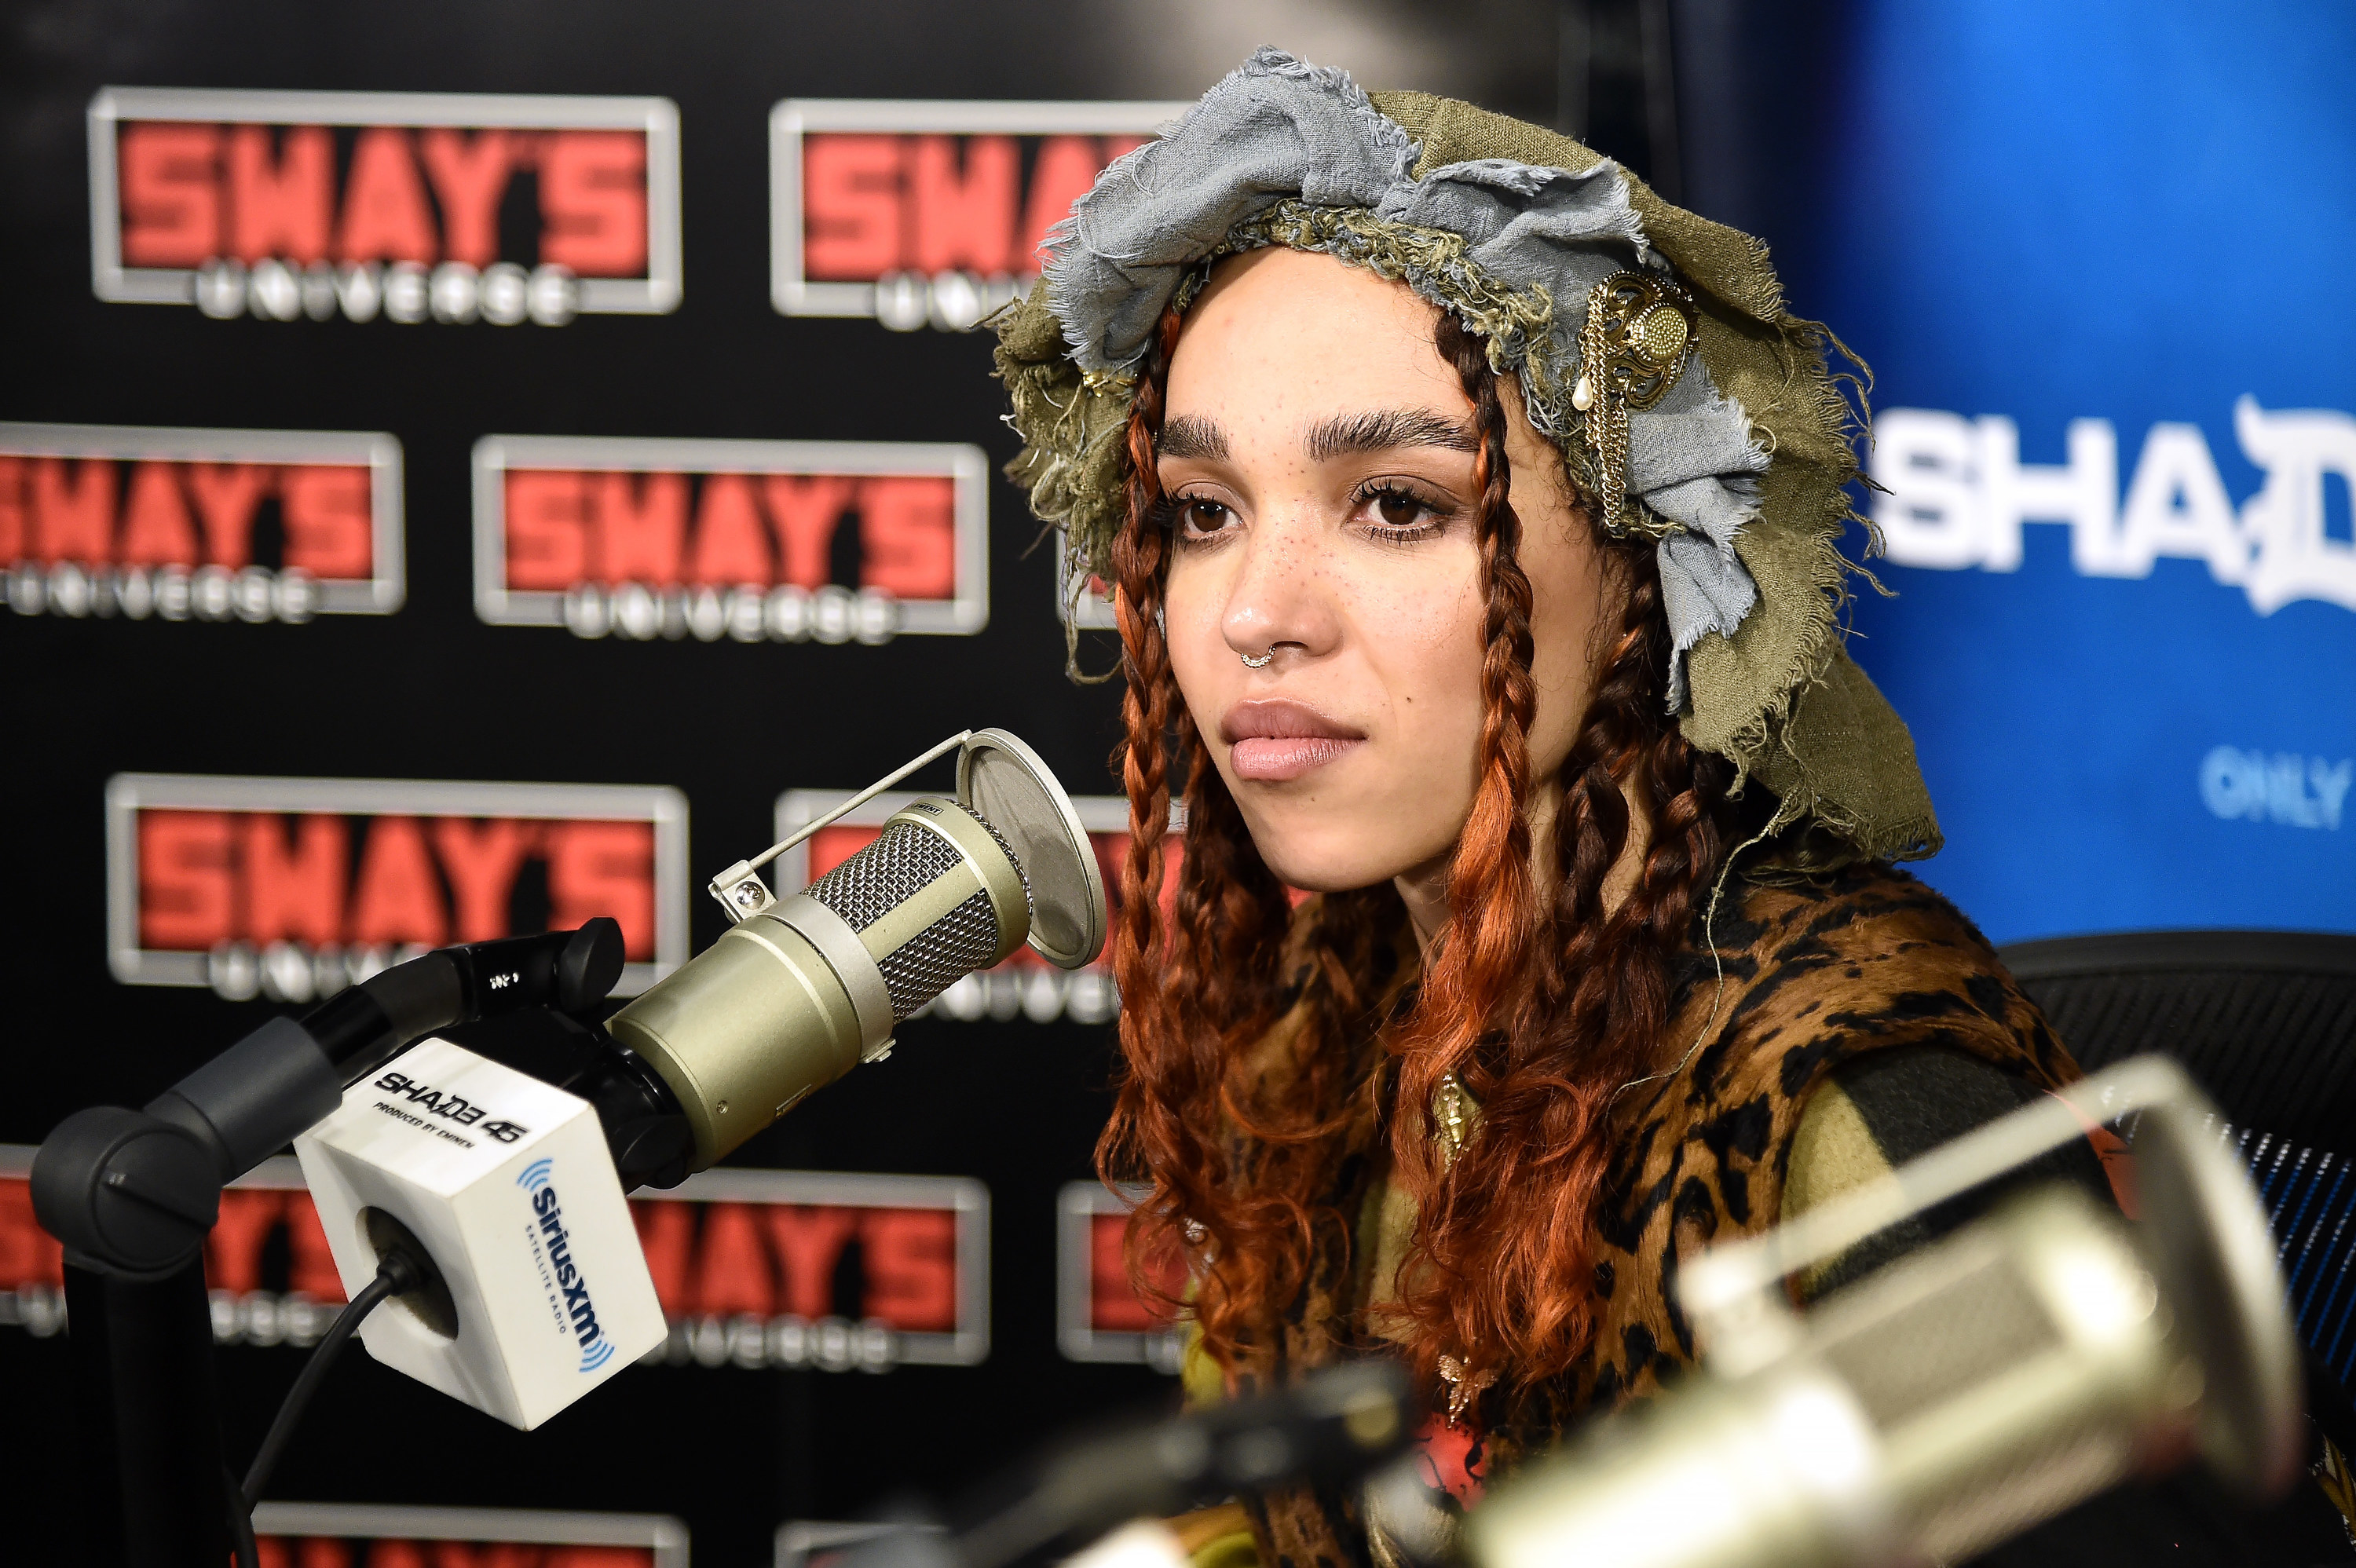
x: 465, y: 470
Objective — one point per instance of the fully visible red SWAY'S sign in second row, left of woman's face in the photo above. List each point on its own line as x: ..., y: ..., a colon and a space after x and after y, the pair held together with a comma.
x: 750, y: 540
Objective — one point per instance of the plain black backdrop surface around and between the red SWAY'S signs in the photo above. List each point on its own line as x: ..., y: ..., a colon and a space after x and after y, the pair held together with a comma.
x: 432, y: 693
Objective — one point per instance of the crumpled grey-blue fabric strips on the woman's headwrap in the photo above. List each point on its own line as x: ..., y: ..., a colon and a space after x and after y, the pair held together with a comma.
x: 1285, y: 131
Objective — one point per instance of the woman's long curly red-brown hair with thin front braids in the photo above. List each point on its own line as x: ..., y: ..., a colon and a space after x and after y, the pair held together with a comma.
x: 1540, y: 997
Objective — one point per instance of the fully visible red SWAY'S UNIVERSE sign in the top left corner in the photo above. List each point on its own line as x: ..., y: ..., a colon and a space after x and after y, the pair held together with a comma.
x: 399, y: 206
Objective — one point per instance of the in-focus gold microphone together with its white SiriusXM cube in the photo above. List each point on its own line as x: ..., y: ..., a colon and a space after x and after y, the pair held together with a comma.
x: 517, y: 1188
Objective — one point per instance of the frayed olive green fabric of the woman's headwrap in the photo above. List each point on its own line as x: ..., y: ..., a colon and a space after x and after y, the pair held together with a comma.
x: 1780, y: 696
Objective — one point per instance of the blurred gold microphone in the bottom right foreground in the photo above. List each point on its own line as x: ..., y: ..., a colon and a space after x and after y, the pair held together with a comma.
x: 1964, y: 1393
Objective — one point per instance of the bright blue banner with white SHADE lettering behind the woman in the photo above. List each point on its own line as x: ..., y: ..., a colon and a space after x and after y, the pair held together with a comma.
x: 2100, y: 260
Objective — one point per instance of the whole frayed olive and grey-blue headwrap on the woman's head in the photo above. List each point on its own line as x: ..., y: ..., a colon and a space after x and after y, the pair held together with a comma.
x: 1738, y: 470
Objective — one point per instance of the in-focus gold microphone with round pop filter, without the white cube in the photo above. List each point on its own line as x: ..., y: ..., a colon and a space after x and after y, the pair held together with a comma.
x: 802, y: 990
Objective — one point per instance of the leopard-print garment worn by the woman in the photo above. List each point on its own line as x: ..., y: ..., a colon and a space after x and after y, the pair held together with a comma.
x: 1804, y: 981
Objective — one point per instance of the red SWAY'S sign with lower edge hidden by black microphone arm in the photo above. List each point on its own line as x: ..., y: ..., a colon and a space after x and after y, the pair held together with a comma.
x: 296, y: 889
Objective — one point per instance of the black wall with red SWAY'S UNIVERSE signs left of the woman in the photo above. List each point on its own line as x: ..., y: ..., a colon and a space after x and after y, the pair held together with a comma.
x: 461, y: 474
